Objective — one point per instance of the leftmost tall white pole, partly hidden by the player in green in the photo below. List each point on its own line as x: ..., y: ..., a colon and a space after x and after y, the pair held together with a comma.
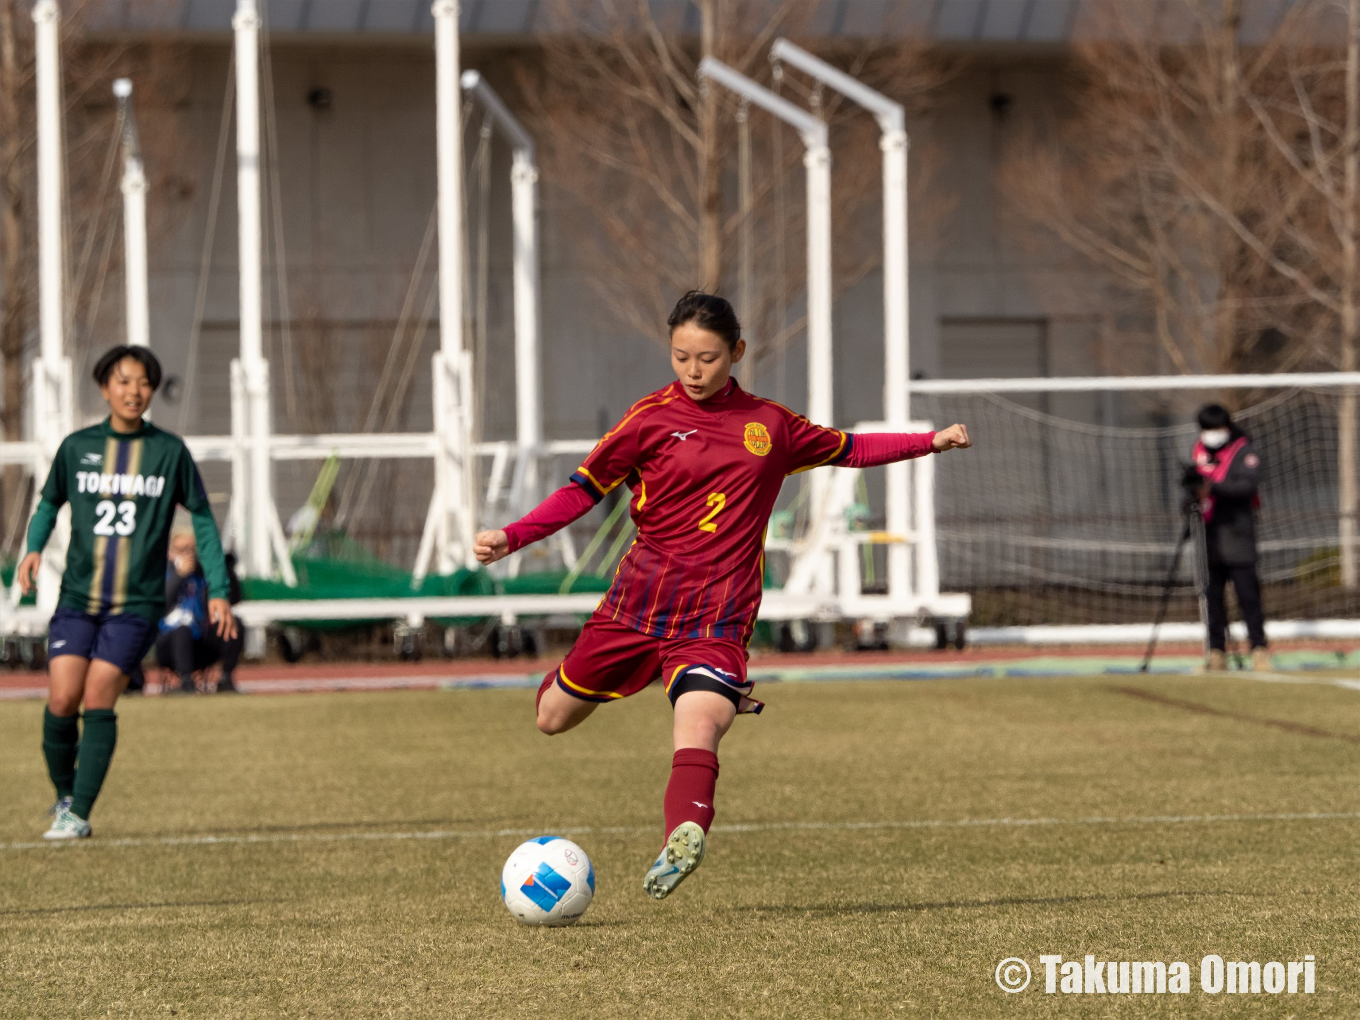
x: 52, y: 394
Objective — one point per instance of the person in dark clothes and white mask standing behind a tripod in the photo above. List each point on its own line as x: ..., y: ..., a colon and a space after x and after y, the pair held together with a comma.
x: 1225, y: 481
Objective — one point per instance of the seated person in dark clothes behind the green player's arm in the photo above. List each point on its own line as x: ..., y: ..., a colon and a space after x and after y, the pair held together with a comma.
x: 187, y: 643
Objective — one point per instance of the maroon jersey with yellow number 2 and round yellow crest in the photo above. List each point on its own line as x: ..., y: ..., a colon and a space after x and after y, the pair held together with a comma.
x: 705, y: 478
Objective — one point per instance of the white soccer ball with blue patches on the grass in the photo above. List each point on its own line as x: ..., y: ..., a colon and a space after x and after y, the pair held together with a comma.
x: 547, y: 882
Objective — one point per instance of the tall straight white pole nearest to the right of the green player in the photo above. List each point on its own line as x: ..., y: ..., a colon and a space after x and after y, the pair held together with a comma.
x: 259, y: 554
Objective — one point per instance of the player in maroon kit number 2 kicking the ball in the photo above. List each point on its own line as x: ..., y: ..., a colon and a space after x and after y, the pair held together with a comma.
x: 705, y: 462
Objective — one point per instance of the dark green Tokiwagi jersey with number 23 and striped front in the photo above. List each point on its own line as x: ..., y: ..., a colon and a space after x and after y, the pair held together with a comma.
x: 123, y: 489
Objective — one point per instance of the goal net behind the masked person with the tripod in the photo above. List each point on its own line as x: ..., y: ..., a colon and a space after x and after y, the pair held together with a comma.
x: 1070, y: 507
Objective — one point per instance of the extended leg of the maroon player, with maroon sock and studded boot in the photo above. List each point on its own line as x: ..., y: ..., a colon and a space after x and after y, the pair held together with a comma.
x: 702, y: 717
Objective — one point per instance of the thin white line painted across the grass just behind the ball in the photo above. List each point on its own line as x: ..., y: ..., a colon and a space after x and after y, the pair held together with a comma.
x: 266, y: 838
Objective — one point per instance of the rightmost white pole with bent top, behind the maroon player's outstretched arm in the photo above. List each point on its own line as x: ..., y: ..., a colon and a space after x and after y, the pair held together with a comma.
x: 897, y: 347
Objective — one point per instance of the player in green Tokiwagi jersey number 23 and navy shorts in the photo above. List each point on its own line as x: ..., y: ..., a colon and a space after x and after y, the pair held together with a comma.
x: 123, y: 479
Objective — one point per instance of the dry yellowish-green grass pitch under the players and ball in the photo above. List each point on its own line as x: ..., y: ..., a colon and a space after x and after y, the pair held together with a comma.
x: 362, y: 838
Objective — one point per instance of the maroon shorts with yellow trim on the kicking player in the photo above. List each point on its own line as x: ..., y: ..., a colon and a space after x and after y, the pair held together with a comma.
x: 611, y: 660
